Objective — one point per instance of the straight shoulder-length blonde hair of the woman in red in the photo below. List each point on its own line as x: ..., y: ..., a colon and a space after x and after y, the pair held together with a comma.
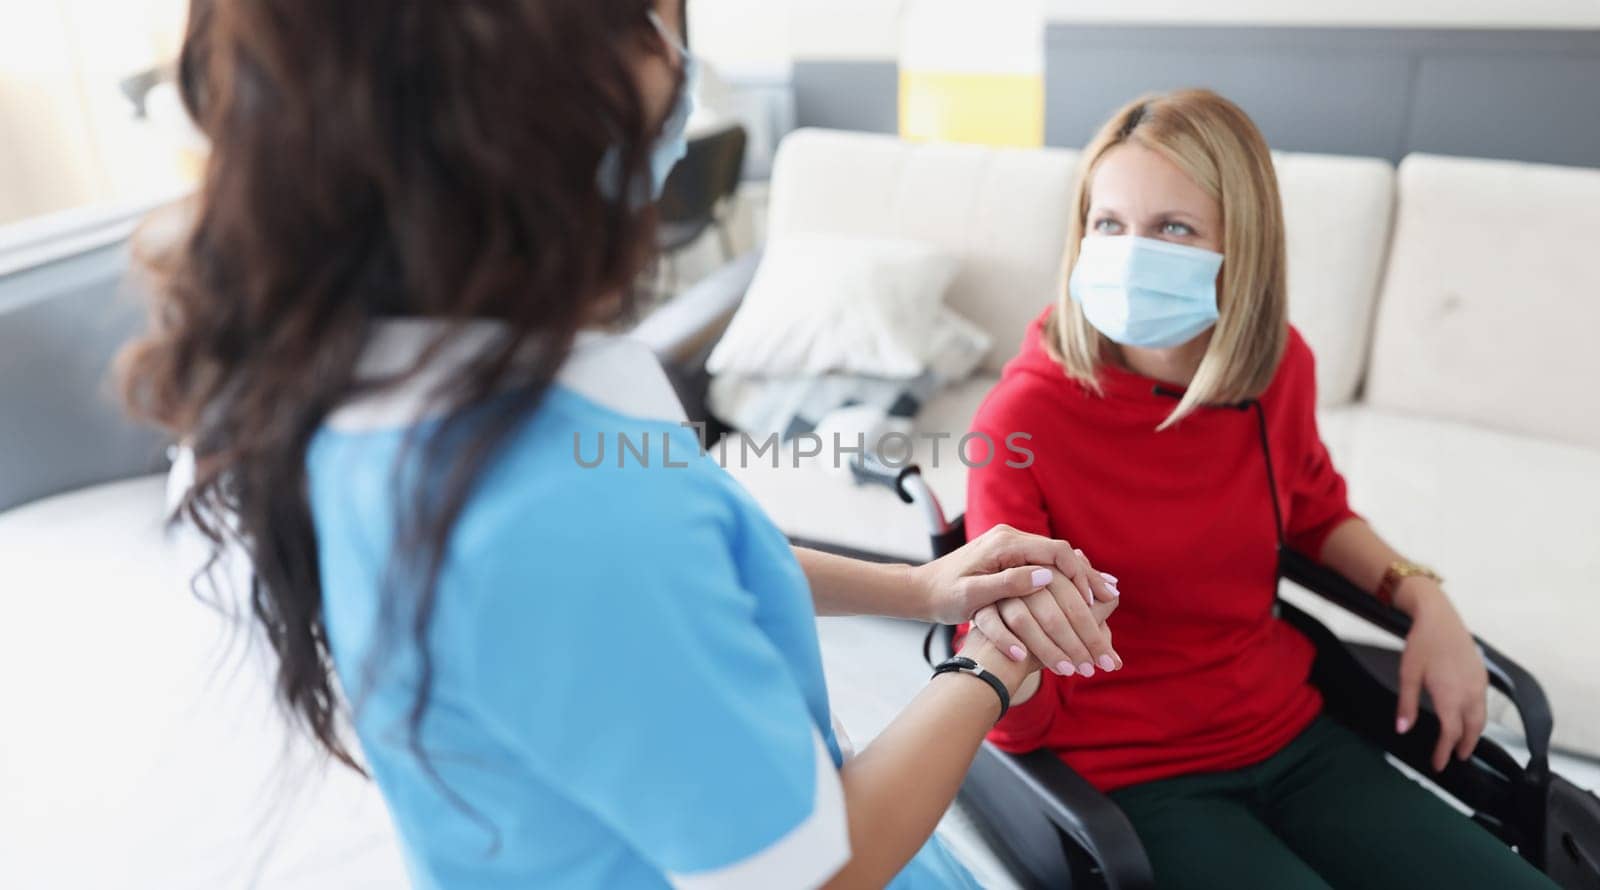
x: 1220, y: 148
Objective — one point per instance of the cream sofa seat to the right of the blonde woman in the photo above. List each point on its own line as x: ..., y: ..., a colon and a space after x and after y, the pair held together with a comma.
x: 1511, y: 523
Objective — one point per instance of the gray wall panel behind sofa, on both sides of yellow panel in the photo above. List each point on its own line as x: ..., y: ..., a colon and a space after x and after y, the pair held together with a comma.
x: 1382, y: 92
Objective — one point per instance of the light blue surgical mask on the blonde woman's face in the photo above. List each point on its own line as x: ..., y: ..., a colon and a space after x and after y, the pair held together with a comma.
x: 1145, y: 292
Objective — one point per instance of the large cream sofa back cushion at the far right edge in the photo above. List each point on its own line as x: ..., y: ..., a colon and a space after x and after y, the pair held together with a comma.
x: 1492, y: 299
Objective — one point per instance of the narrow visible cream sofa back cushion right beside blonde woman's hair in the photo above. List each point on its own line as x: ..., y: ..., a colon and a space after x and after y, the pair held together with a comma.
x: 1337, y: 215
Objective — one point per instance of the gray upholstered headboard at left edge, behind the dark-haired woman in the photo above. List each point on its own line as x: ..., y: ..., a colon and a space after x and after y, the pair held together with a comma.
x: 66, y: 308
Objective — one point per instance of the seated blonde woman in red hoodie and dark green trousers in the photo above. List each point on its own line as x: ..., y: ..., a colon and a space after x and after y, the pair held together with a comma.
x: 1159, y: 391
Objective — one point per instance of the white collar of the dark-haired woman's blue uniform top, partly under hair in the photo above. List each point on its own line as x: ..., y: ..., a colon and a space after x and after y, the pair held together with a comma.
x: 610, y: 371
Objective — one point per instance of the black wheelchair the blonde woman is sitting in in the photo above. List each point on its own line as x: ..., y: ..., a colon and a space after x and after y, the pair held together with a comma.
x: 1052, y: 828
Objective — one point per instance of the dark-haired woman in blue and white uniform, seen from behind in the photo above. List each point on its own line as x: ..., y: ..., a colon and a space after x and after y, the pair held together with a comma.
x: 380, y: 340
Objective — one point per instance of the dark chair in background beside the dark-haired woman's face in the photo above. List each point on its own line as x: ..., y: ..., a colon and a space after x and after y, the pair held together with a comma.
x: 698, y: 193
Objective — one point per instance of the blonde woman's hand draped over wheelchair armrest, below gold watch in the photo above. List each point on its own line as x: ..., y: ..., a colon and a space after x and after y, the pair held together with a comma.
x: 1442, y: 659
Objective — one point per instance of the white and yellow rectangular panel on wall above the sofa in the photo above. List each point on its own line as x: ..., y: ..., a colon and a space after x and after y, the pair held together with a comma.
x: 974, y: 73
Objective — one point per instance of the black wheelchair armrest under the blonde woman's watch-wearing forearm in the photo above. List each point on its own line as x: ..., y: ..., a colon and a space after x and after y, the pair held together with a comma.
x: 1510, y: 678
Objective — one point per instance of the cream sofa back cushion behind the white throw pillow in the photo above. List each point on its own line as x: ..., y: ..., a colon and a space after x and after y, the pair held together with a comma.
x: 1001, y: 212
